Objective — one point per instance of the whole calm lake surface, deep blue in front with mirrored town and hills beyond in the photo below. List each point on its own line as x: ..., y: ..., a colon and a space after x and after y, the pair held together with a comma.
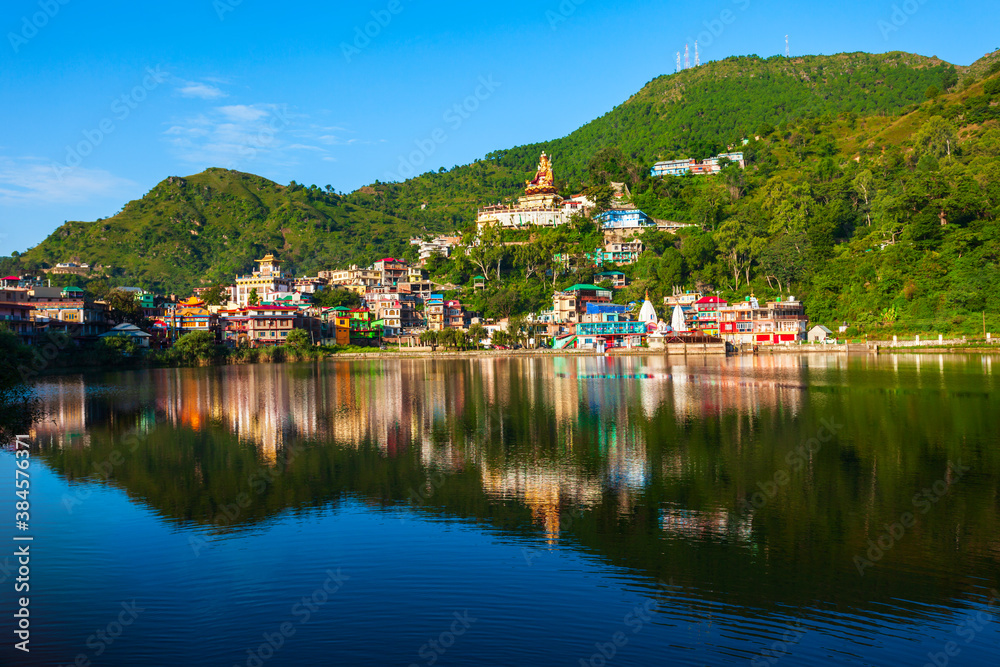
x: 524, y: 511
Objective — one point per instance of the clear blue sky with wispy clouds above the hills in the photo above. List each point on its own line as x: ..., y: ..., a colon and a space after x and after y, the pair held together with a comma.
x: 101, y: 101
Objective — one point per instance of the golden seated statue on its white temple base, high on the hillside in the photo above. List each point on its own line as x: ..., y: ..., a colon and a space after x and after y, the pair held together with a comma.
x: 540, y: 205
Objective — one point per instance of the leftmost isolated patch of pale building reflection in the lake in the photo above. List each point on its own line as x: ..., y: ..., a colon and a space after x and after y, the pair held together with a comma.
x: 64, y: 423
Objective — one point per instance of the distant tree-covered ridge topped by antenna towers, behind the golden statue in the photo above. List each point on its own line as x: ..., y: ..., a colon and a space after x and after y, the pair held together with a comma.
x: 693, y: 113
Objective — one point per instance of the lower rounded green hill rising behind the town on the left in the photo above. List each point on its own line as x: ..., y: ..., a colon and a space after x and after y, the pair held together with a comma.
x: 205, y: 228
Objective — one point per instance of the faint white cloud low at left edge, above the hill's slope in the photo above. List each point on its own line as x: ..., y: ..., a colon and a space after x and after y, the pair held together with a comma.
x: 35, y: 181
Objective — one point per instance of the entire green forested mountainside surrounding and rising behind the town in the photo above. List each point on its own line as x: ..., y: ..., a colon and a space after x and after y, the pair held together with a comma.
x: 872, y: 191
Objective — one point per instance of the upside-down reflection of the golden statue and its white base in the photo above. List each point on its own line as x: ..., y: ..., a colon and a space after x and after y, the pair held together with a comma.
x: 546, y: 488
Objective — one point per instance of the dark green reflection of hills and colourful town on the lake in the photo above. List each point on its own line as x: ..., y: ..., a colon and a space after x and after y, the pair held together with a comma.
x: 656, y: 464
